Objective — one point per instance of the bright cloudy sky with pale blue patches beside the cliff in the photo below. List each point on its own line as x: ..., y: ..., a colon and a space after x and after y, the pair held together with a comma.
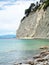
x: 11, y: 12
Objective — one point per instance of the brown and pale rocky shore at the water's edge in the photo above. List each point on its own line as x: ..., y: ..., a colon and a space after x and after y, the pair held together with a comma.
x: 40, y: 59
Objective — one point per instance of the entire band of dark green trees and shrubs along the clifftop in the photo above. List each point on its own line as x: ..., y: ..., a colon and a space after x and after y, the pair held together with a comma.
x: 36, y: 7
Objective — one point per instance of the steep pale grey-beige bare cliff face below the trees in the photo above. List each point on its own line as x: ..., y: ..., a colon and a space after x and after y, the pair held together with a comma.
x: 36, y: 25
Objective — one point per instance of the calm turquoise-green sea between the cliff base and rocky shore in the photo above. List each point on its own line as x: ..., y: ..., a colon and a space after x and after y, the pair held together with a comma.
x: 15, y: 50
